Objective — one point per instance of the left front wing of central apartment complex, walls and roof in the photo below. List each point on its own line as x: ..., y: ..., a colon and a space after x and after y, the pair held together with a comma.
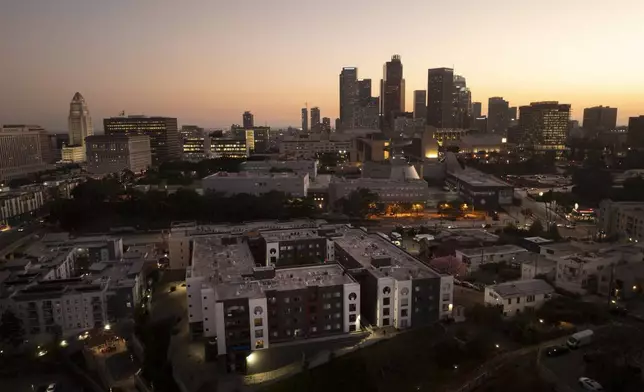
x: 244, y: 308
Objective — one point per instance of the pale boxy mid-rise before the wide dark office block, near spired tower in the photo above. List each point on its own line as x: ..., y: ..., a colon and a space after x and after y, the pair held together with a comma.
x: 115, y: 153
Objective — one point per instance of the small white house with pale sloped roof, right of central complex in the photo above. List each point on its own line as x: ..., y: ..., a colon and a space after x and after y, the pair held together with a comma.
x: 518, y: 296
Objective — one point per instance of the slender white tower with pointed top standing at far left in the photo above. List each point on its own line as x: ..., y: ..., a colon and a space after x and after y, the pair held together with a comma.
x: 79, y: 127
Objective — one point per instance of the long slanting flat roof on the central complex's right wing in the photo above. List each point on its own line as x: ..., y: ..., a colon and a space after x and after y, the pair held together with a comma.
x: 363, y: 247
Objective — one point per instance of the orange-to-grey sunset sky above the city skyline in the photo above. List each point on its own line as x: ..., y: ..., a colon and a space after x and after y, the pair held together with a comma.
x: 207, y: 61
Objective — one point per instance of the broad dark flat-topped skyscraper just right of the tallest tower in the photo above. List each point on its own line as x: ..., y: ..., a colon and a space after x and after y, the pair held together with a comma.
x: 440, y: 94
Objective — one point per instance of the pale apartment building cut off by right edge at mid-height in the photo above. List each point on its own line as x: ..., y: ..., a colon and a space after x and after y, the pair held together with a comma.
x: 623, y: 219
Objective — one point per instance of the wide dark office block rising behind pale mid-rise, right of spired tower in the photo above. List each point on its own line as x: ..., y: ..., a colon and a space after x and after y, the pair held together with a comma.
x: 163, y: 133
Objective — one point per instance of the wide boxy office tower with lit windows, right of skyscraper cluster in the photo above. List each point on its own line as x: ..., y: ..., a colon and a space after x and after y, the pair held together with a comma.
x: 543, y: 126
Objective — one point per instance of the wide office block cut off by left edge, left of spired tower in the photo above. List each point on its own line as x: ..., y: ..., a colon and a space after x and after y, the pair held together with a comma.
x: 24, y: 149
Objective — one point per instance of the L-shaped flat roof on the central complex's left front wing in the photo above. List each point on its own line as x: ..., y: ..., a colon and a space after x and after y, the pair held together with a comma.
x: 228, y: 269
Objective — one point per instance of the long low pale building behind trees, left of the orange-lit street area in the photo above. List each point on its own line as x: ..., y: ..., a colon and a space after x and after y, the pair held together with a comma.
x: 255, y: 183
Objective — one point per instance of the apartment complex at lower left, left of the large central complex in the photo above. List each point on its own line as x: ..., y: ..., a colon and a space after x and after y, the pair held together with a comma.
x: 61, y: 285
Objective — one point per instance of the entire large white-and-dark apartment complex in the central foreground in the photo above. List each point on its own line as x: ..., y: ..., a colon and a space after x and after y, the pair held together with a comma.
x: 251, y: 286
